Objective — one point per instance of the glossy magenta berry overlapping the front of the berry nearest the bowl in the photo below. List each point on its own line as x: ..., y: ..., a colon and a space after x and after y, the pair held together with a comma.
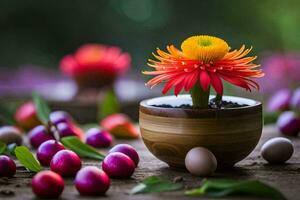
x: 118, y: 165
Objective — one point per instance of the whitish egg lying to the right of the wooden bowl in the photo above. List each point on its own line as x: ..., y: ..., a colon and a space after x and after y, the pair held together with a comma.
x: 277, y: 150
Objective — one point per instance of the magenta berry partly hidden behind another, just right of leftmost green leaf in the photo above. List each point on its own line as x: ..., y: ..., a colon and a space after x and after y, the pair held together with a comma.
x: 47, y: 150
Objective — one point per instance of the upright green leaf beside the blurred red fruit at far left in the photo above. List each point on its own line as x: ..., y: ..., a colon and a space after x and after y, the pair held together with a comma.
x: 42, y: 108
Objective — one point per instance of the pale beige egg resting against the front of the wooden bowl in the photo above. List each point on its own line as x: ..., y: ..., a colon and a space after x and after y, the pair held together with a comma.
x: 200, y: 161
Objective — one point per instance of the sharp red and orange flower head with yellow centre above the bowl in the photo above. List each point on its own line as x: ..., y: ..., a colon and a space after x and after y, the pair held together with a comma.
x: 205, y: 60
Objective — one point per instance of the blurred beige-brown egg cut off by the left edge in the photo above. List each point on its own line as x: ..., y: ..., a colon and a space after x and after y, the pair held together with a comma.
x: 10, y: 134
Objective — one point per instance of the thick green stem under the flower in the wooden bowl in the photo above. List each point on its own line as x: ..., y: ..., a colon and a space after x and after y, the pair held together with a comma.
x: 199, y: 96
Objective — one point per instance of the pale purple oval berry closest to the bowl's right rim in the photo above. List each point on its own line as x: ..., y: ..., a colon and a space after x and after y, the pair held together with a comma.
x: 279, y: 101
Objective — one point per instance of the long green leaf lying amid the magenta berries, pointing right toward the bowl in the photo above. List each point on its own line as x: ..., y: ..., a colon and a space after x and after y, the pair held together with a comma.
x: 80, y: 148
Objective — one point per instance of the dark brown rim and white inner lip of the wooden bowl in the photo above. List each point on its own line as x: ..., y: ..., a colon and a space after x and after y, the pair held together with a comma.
x: 146, y: 107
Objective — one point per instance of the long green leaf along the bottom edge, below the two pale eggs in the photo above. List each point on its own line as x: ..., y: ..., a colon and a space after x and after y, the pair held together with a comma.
x: 222, y: 188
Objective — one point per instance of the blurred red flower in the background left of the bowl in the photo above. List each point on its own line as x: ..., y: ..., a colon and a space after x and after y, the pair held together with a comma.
x: 95, y: 65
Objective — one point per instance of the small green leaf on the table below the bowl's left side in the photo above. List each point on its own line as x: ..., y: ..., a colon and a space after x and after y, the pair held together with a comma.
x: 154, y: 184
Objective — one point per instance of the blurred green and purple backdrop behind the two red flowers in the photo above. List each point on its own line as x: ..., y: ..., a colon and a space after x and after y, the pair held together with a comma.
x: 35, y: 35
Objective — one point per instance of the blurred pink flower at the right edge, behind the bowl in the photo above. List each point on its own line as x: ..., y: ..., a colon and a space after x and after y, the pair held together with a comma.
x: 282, y: 71
